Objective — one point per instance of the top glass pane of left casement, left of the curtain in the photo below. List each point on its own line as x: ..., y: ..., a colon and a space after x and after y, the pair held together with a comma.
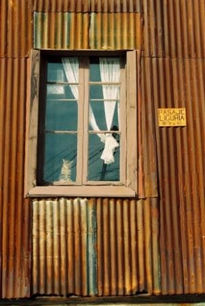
x: 55, y: 72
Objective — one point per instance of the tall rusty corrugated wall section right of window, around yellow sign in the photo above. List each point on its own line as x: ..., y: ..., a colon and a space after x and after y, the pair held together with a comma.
x: 173, y: 75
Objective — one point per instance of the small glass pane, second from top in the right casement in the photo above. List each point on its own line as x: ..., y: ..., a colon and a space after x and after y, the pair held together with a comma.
x: 104, y: 92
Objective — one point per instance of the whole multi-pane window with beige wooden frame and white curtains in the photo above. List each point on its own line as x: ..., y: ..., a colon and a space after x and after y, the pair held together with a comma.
x: 82, y: 124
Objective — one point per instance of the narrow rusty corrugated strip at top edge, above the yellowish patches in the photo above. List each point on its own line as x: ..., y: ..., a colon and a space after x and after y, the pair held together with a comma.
x: 87, y: 6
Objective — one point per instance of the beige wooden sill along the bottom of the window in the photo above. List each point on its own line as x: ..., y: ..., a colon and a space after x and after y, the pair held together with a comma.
x: 82, y: 191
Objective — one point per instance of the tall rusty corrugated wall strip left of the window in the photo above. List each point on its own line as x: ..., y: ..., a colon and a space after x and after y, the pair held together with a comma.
x: 15, y: 226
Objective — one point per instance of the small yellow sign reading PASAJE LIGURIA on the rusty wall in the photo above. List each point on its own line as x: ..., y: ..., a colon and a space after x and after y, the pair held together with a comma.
x: 171, y: 116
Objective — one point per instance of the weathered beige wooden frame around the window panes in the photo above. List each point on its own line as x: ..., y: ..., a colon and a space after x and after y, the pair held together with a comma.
x: 127, y: 188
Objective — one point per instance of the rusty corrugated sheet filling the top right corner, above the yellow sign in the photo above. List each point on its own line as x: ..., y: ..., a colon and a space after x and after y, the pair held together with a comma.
x: 174, y: 28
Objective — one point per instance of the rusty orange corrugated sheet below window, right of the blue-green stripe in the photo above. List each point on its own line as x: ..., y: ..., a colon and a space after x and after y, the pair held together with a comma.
x: 127, y: 247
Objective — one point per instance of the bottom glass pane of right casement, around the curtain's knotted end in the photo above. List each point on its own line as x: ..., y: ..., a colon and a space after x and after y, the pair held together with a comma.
x: 97, y: 170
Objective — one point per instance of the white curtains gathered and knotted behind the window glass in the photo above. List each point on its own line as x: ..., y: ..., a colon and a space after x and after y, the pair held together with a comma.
x: 110, y: 73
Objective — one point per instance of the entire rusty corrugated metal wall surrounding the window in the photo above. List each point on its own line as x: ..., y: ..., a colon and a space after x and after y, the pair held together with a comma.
x: 172, y: 74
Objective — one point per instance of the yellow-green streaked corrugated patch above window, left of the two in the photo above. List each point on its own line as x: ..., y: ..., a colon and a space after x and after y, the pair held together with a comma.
x: 61, y: 30
